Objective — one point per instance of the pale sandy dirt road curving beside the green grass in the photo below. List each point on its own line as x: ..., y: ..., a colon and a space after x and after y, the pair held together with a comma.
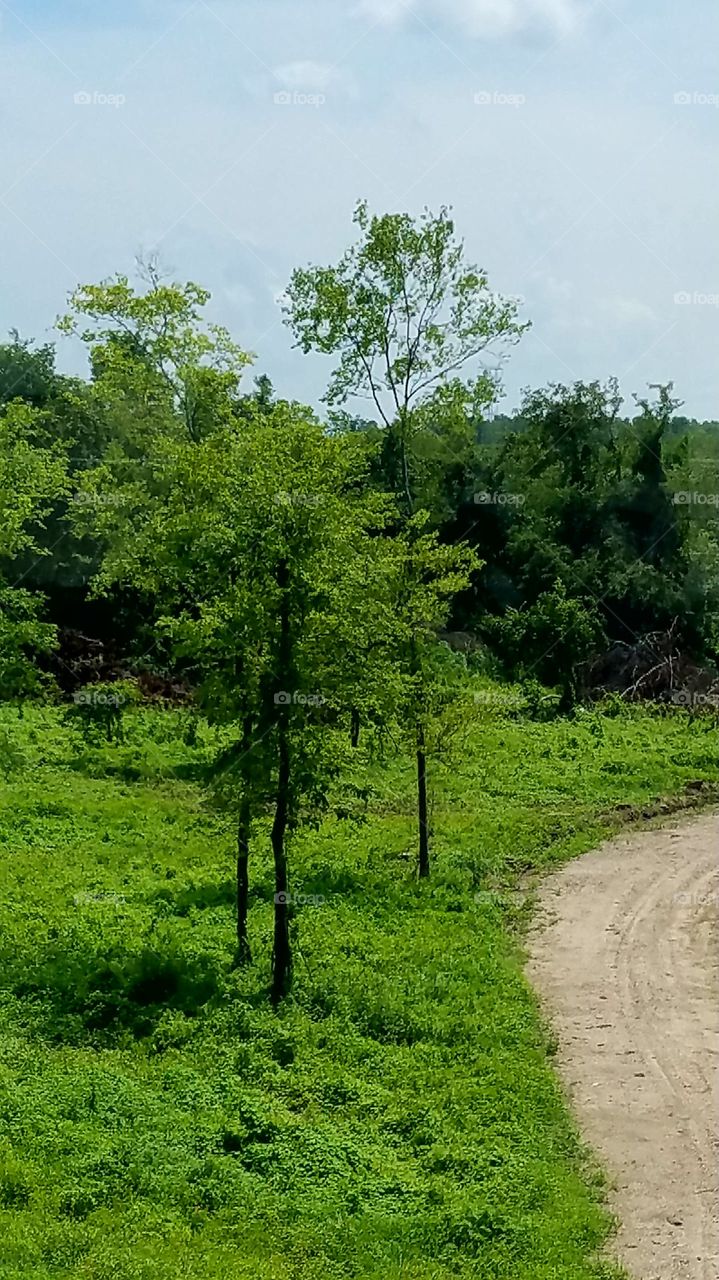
x: 626, y: 961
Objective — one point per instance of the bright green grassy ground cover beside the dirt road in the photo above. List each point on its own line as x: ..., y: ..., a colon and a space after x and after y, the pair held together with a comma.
x: 399, y: 1118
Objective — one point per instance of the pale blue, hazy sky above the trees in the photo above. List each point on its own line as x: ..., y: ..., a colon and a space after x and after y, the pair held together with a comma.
x: 575, y: 143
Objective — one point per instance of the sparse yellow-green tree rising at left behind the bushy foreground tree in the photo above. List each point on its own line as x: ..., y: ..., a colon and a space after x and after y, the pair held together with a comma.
x: 161, y: 372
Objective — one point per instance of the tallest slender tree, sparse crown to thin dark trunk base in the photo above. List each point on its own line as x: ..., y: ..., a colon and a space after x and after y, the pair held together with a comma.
x: 406, y: 316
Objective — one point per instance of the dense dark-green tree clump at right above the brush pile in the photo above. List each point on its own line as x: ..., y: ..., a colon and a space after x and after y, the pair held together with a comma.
x: 589, y: 499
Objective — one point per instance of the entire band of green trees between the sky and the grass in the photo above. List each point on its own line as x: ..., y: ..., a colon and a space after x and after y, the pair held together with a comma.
x: 294, y: 572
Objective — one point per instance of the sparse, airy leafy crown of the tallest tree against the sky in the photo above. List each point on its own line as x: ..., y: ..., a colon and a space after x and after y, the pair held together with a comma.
x: 402, y: 310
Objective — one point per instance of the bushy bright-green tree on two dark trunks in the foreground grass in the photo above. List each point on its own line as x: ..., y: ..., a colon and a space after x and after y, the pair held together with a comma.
x: 263, y: 554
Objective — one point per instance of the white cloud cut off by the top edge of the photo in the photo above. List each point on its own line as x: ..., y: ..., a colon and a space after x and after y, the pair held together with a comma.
x: 480, y: 19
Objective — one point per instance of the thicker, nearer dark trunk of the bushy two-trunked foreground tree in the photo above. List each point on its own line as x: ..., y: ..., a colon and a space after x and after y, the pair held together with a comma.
x: 282, y: 953
